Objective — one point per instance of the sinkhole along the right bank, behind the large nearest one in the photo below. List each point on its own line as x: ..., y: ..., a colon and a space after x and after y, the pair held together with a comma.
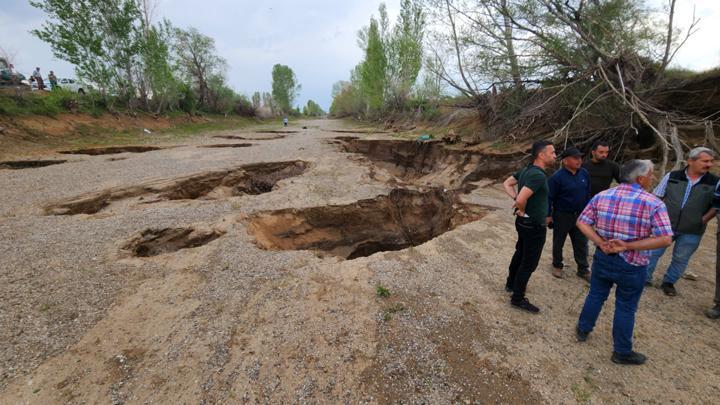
x: 431, y: 160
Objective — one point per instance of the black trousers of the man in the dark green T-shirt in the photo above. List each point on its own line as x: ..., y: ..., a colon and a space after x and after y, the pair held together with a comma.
x: 531, y: 239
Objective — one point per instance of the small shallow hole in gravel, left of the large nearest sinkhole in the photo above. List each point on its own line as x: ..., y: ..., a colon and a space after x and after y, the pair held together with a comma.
x: 153, y: 242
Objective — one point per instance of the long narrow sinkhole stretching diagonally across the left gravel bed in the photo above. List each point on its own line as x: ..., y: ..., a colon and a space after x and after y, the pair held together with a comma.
x: 255, y: 178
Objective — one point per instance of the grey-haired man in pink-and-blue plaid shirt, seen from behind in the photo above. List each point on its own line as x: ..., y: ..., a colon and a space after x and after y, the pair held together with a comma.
x: 624, y: 222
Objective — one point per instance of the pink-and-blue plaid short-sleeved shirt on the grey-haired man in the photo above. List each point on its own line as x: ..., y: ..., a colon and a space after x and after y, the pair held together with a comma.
x: 628, y: 213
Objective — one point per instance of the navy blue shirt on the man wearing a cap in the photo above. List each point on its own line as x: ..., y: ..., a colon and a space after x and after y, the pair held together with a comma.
x: 569, y: 192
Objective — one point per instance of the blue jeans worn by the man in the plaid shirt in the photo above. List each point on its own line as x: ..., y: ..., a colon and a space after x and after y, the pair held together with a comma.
x: 630, y: 280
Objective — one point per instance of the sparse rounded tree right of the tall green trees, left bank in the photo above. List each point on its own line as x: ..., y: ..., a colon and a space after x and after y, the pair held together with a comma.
x: 198, y: 61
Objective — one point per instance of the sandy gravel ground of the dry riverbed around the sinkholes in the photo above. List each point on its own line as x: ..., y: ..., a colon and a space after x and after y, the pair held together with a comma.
x: 227, y: 322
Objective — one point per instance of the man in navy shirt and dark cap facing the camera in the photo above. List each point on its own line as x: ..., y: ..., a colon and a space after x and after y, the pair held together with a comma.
x: 569, y: 193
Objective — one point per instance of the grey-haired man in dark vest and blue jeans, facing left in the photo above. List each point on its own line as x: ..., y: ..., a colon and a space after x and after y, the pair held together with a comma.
x: 688, y: 195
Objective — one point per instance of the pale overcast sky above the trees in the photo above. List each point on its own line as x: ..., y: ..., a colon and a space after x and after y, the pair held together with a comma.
x: 316, y: 38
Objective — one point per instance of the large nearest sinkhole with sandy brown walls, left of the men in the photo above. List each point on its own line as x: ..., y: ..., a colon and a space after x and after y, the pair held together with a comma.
x: 396, y: 221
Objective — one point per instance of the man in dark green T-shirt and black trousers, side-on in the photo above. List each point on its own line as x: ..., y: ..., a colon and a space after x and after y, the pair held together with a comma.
x: 531, y: 207
